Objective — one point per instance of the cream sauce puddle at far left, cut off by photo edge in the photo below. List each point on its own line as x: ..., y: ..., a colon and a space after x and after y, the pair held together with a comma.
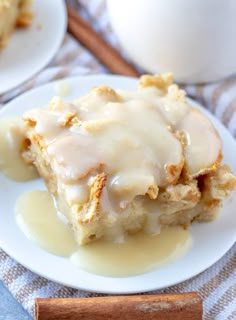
x: 11, y: 162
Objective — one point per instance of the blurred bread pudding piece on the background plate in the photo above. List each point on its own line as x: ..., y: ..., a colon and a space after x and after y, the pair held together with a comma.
x: 13, y: 13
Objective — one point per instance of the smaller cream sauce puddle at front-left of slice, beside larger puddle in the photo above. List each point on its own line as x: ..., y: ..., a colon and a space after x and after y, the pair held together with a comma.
x: 37, y: 218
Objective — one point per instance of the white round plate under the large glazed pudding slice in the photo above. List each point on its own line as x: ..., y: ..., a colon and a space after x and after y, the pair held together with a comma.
x: 210, y: 240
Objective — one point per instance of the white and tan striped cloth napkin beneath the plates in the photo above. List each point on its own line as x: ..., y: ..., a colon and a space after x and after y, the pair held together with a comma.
x: 217, y: 285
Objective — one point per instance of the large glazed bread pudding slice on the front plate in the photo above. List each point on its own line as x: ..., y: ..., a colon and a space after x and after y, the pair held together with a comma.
x: 120, y: 161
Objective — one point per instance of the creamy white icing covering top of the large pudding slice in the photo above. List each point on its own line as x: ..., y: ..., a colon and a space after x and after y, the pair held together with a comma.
x: 129, y: 135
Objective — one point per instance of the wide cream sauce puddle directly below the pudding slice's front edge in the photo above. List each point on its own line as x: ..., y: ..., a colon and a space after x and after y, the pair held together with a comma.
x: 139, y: 253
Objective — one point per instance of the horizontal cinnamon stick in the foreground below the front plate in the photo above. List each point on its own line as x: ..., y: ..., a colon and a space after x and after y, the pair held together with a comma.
x: 182, y: 306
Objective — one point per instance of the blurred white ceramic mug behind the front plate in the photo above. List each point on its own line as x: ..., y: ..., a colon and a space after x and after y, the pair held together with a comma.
x: 194, y: 39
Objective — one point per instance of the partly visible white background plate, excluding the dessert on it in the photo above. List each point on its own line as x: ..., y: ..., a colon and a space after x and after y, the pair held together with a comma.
x: 29, y: 50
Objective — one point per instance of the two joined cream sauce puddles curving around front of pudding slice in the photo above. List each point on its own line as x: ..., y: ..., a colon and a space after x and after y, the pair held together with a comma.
x: 39, y: 220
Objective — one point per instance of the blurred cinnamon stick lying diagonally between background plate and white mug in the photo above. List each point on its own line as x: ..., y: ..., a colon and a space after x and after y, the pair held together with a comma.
x: 103, y: 51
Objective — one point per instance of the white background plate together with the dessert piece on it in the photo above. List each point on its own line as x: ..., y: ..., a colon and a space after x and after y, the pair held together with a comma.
x: 34, y: 46
